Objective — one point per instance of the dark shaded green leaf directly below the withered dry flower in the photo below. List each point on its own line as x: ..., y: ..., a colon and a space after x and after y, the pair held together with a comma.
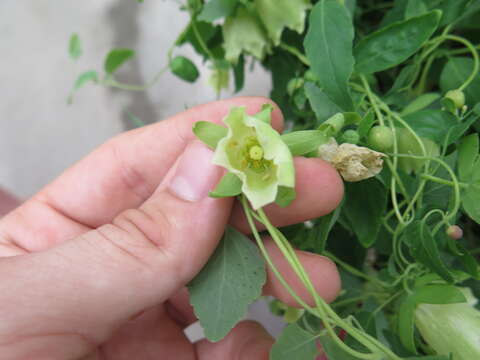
x: 365, y: 204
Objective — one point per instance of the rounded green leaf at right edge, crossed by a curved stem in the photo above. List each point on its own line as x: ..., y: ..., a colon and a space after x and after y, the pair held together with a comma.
x: 454, y: 74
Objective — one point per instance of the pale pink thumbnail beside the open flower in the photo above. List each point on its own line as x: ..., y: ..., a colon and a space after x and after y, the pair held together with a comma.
x: 195, y: 174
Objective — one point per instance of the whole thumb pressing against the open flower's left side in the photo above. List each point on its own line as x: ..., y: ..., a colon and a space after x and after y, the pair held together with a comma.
x: 93, y: 283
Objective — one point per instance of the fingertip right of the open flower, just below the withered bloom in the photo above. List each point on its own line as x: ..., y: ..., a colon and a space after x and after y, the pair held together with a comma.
x: 319, y: 191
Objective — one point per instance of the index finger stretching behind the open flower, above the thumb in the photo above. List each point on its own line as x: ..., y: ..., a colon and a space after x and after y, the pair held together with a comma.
x: 119, y: 175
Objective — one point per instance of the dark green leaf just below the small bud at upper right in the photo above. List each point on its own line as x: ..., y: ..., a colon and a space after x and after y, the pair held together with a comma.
x: 431, y: 124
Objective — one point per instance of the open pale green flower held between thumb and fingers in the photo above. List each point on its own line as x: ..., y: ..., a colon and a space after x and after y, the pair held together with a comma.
x: 255, y: 152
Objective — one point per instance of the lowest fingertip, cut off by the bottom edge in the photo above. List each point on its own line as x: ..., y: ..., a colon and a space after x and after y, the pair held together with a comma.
x: 247, y: 341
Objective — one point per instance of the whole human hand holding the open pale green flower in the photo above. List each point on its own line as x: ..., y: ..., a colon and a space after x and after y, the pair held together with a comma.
x: 95, y: 265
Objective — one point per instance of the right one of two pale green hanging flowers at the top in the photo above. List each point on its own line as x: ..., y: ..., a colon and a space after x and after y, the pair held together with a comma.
x: 279, y: 14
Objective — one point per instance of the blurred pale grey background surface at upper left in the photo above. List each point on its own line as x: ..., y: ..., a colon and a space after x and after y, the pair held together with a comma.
x: 39, y: 134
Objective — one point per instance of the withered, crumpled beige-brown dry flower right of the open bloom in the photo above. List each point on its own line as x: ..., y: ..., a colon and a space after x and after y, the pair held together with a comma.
x: 354, y: 162
